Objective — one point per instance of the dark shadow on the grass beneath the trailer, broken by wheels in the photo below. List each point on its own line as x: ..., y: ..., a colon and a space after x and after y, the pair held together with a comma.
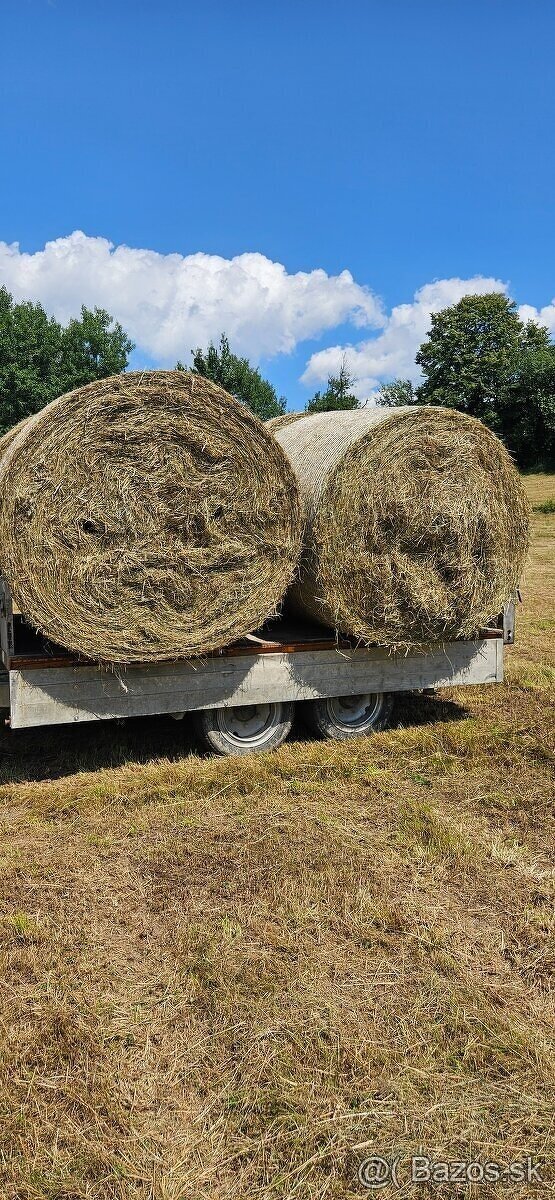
x: 52, y: 753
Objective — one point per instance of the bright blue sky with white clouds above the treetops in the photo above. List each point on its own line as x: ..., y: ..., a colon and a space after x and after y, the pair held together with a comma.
x: 403, y: 142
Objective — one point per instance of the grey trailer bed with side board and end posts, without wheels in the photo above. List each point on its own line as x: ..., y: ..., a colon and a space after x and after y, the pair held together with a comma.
x: 43, y: 685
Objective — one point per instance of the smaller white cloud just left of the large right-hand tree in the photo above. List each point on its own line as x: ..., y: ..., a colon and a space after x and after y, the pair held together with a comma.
x: 391, y: 355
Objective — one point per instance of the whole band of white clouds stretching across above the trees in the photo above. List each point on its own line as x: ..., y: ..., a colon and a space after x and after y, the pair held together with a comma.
x: 170, y: 304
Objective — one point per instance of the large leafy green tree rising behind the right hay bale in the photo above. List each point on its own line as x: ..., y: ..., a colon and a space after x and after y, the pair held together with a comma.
x: 484, y: 361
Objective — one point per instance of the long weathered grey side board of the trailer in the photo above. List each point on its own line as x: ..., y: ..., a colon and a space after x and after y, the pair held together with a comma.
x: 61, y: 695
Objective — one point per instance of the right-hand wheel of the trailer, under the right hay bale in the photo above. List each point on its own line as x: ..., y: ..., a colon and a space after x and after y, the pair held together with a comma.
x: 349, y: 717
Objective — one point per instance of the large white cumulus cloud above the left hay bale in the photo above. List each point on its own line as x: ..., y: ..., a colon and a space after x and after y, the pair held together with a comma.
x: 171, y: 304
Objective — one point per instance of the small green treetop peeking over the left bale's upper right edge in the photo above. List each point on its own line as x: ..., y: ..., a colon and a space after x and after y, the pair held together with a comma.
x: 238, y: 377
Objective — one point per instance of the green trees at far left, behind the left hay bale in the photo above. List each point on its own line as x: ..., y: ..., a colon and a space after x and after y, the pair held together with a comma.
x: 40, y: 359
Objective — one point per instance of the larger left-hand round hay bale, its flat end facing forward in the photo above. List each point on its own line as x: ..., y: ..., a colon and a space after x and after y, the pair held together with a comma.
x: 147, y: 517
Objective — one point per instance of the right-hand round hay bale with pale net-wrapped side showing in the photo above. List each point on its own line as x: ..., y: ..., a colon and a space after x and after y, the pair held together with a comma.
x: 416, y: 523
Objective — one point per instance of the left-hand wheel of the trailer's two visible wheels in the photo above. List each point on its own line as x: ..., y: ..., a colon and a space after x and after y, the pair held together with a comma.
x: 244, y: 729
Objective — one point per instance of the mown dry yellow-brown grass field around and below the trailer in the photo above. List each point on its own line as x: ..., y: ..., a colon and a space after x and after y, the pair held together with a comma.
x: 240, y: 979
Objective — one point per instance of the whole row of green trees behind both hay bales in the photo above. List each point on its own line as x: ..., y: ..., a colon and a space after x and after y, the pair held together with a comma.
x: 480, y: 358
